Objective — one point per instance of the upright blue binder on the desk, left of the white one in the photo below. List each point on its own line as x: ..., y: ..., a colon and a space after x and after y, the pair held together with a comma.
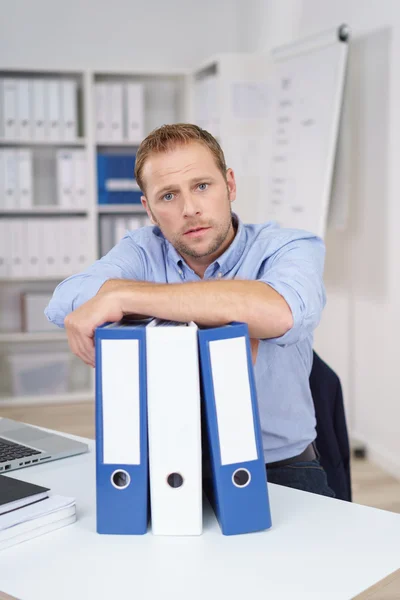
x: 121, y: 429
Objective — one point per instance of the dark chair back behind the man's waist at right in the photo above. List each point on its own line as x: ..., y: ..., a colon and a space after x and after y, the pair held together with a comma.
x: 332, y: 437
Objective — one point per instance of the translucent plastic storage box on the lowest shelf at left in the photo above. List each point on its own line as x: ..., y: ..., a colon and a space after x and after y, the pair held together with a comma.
x: 39, y: 373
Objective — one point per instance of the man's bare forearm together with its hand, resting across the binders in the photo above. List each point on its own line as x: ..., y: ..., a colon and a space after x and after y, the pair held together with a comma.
x: 209, y: 303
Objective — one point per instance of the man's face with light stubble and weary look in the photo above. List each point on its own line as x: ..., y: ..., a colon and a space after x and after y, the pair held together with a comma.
x: 189, y: 199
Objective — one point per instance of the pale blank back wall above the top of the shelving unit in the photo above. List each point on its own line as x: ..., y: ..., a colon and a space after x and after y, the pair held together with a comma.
x: 121, y: 34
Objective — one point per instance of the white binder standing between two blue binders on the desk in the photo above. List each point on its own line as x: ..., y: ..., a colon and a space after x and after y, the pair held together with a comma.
x: 174, y: 425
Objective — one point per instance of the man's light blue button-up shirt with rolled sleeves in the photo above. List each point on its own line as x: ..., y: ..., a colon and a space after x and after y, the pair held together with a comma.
x: 290, y: 261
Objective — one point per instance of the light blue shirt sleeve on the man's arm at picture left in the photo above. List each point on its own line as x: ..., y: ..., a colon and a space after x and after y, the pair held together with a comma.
x: 124, y: 261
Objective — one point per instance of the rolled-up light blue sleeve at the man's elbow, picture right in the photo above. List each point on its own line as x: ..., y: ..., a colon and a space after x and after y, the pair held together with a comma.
x: 295, y: 271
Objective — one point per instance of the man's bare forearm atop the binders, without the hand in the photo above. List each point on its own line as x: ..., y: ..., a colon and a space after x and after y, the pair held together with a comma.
x: 209, y: 303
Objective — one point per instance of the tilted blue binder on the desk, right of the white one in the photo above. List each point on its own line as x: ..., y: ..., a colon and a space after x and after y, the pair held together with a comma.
x: 237, y: 486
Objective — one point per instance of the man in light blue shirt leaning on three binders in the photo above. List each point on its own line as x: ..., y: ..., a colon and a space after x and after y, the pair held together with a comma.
x: 200, y: 263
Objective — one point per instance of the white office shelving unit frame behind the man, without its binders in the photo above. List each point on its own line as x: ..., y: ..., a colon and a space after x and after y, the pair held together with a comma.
x: 166, y: 100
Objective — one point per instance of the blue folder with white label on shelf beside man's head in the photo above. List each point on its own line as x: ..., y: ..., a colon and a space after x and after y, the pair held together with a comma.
x: 115, y: 179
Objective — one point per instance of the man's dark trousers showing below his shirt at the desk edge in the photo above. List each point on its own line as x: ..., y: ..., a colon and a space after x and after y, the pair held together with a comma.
x: 307, y: 476
